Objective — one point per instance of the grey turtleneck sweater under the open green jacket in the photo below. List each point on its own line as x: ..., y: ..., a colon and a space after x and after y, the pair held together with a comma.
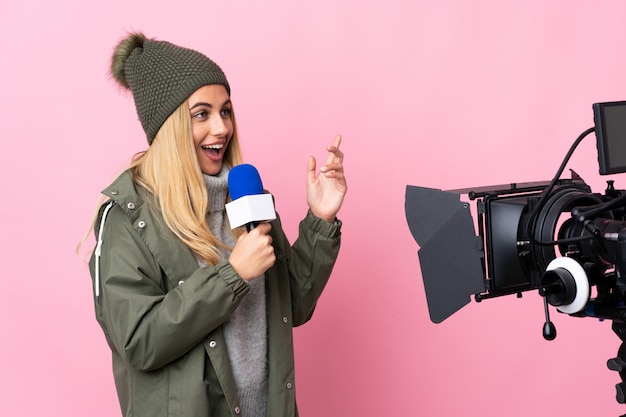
x: 246, y: 329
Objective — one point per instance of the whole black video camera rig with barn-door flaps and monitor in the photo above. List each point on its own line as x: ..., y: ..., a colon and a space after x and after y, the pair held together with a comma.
x: 557, y: 237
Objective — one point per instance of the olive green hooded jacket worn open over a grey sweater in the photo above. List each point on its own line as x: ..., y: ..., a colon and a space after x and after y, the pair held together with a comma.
x: 162, y: 314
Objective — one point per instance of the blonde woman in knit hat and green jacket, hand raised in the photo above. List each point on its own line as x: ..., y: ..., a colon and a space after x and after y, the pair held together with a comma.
x: 199, y: 317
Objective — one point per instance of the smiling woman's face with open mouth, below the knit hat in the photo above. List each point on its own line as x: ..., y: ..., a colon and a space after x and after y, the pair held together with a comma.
x: 212, y: 126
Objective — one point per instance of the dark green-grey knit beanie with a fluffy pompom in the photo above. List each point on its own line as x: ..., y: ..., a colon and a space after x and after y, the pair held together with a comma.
x: 161, y: 77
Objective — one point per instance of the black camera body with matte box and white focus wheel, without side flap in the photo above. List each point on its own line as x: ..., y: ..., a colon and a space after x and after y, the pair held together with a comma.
x: 524, y: 239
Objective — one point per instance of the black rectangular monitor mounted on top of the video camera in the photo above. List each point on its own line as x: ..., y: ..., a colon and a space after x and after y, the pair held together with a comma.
x: 610, y: 127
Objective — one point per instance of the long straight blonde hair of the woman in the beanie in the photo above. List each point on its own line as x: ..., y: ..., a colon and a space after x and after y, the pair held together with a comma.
x: 170, y: 171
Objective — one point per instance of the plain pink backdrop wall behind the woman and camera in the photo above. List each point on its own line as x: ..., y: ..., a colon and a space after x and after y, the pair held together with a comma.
x: 444, y: 94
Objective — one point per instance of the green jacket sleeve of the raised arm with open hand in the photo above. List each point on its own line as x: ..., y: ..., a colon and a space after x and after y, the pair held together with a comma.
x: 311, y: 261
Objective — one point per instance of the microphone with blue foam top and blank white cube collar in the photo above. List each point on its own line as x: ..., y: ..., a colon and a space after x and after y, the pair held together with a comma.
x: 250, y: 205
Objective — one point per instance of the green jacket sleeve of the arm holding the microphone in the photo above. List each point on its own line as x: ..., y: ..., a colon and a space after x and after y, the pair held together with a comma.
x: 146, y: 324
